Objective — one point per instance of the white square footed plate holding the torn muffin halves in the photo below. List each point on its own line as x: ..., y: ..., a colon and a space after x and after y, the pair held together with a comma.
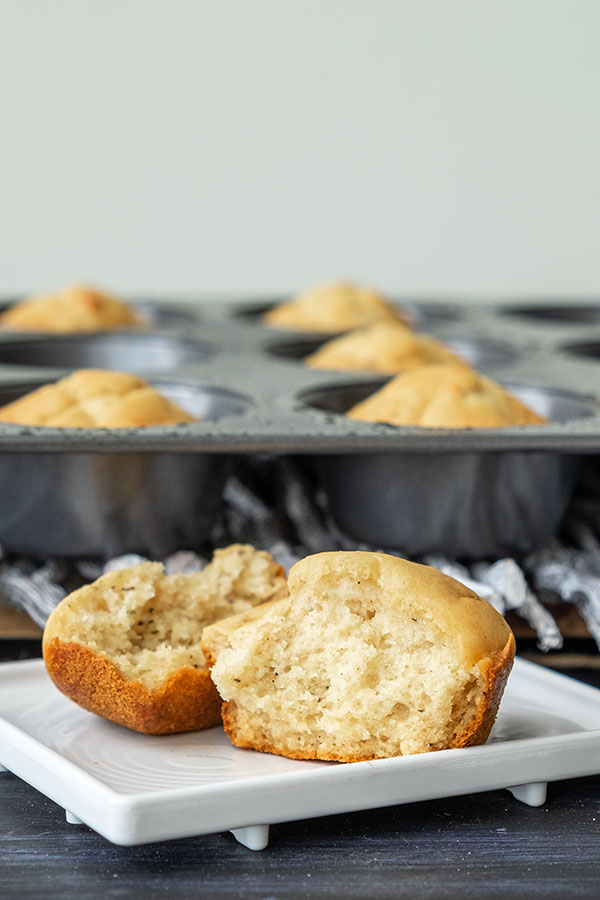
x: 135, y: 788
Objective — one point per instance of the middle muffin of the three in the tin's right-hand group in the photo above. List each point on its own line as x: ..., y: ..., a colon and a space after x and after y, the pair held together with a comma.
x: 385, y: 347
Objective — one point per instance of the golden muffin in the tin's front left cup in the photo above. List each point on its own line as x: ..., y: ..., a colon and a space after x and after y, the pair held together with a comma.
x: 95, y: 398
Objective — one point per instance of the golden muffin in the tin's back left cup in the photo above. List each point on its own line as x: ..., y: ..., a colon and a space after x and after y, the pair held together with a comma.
x: 72, y: 309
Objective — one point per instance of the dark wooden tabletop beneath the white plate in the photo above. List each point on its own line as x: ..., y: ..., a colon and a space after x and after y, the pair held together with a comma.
x: 481, y: 846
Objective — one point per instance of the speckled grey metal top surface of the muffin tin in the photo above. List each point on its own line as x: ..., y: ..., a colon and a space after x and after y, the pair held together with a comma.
x: 550, y: 355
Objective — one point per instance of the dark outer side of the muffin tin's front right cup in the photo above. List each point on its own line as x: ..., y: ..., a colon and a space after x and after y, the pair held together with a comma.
x: 464, y: 505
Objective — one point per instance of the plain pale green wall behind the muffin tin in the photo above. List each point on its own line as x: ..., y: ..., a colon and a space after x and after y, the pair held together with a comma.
x: 247, y: 145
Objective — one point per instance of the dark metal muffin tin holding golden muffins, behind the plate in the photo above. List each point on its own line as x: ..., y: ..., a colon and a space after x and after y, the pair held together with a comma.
x: 466, y: 492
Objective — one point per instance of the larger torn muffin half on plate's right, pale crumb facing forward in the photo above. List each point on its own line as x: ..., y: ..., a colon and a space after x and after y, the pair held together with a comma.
x: 370, y: 656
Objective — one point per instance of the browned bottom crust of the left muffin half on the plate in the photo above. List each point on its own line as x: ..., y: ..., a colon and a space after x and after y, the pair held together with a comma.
x: 186, y: 701
